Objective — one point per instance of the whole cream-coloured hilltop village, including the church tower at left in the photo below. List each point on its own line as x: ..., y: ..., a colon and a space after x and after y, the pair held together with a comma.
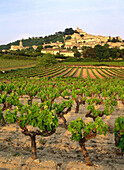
x: 78, y: 39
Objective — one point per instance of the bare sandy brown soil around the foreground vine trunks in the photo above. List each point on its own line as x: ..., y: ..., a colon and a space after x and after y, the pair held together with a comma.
x: 58, y: 152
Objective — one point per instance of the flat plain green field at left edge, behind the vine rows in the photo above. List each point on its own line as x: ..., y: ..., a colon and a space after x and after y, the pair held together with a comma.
x: 12, y: 63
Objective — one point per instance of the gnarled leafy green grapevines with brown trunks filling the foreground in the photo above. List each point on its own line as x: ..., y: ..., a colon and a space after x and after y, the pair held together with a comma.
x: 44, y: 115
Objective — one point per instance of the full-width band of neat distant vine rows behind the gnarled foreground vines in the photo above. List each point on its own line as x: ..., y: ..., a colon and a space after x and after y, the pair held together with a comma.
x: 67, y: 71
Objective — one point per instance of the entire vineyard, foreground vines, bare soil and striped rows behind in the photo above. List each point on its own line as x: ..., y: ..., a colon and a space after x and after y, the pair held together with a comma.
x: 62, y: 117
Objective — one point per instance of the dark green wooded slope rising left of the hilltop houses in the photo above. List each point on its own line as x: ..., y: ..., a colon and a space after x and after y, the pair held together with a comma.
x: 58, y: 36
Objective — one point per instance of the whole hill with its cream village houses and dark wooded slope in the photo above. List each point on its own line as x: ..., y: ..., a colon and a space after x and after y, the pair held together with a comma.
x: 68, y: 39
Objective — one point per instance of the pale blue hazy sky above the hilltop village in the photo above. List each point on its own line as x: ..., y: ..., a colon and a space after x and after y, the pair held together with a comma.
x: 35, y: 18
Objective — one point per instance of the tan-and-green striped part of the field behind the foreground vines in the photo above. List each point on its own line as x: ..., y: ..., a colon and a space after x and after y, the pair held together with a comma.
x: 91, y: 72
